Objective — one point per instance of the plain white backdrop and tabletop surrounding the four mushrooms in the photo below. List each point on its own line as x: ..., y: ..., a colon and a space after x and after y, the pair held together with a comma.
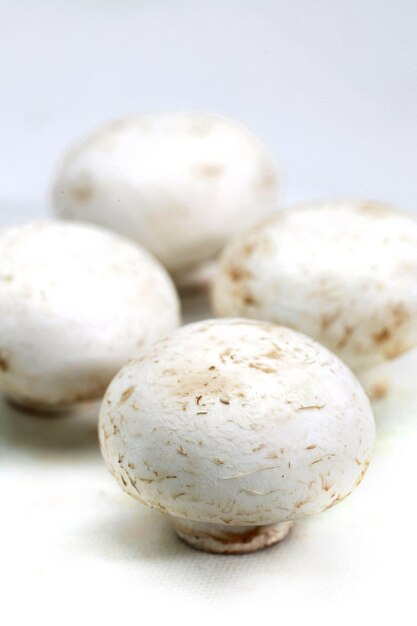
x: 331, y: 87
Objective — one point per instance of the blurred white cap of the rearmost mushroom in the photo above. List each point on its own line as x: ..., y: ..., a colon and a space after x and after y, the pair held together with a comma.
x: 180, y: 184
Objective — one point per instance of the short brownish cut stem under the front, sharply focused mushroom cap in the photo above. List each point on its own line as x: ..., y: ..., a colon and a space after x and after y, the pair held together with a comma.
x: 221, y: 539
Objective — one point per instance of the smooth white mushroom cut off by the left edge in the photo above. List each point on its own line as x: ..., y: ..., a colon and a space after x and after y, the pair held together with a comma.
x: 76, y: 302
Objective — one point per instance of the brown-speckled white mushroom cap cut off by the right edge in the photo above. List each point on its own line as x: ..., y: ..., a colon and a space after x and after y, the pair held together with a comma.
x: 343, y: 272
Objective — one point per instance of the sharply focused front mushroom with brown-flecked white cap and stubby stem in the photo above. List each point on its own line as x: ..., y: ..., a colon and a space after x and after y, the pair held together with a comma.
x: 235, y: 428
